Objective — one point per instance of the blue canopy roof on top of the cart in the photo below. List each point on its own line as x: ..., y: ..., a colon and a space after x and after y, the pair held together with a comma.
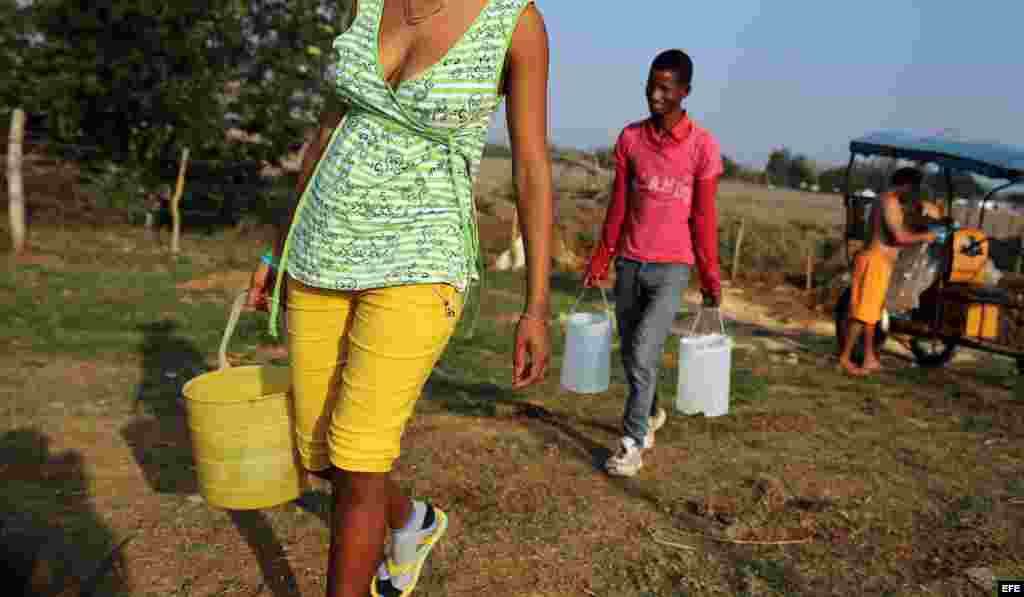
x: 989, y: 159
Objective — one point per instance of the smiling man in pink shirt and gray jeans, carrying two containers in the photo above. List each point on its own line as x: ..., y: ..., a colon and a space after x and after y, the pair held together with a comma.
x: 662, y: 221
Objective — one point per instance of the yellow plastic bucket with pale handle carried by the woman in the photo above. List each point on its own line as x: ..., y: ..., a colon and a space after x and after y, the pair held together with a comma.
x: 242, y: 425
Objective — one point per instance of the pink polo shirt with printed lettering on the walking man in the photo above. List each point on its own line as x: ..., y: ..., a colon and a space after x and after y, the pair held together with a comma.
x: 658, y: 174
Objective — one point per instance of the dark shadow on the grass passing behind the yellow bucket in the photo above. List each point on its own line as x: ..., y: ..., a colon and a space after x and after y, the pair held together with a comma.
x: 162, y: 447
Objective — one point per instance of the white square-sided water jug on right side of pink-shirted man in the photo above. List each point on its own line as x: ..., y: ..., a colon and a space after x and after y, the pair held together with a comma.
x: 705, y: 372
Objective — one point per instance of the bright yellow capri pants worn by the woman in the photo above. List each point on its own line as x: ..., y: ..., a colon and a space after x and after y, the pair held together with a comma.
x: 360, y: 361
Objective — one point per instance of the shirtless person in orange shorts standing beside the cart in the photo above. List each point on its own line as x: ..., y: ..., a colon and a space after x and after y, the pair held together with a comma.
x: 874, y: 267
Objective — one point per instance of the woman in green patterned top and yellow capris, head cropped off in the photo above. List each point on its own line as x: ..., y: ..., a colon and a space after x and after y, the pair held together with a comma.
x: 383, y: 246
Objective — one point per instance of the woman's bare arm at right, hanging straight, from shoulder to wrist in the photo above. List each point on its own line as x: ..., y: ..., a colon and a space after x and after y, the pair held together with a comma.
x: 527, y: 114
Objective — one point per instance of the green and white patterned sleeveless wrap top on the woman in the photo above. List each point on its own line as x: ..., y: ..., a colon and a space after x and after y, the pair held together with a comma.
x: 391, y: 201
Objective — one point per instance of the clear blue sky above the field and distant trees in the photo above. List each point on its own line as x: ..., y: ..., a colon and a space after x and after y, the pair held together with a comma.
x: 809, y: 76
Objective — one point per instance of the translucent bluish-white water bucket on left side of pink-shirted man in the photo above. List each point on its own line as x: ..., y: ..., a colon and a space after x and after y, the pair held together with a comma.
x: 587, y: 362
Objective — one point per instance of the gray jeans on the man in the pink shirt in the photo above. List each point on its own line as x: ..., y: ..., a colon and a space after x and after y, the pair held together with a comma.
x: 648, y: 298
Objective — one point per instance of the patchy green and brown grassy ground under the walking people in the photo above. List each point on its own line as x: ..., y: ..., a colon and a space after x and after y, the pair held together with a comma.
x: 814, y: 484
